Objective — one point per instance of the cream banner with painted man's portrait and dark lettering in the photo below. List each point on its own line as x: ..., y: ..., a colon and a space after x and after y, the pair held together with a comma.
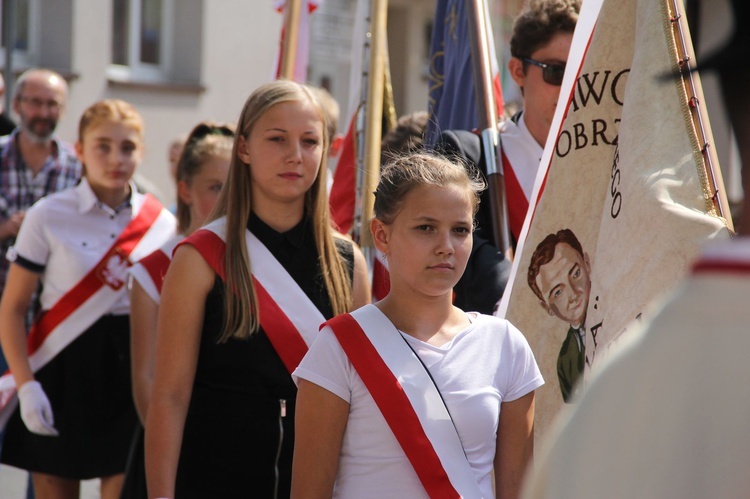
x: 625, y: 201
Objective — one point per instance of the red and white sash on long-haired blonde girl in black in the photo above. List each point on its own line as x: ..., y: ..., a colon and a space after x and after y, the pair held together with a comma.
x: 288, y: 317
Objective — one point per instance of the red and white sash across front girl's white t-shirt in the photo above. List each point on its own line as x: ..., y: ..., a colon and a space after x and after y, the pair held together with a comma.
x: 409, y: 401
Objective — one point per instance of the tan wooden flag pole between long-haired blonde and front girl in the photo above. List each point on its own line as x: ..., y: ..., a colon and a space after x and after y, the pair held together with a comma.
x: 374, y: 114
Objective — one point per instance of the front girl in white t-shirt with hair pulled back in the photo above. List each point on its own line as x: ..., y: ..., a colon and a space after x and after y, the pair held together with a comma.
x: 469, y: 378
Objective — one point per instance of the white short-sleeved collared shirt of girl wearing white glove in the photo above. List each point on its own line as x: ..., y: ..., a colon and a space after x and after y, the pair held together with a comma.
x: 63, y: 236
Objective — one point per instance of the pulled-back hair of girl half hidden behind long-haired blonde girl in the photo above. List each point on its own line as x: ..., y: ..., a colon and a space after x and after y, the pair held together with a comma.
x: 206, y: 140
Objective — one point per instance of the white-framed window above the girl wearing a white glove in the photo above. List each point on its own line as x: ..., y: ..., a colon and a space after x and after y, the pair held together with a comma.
x: 141, y: 38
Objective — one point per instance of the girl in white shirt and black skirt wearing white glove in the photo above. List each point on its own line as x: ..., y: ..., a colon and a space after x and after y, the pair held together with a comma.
x: 76, y: 416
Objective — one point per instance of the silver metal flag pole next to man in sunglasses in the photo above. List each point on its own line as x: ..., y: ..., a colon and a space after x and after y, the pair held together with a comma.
x: 478, y: 17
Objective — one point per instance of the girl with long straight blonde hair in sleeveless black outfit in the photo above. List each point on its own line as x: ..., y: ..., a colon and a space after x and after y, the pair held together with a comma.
x: 220, y: 422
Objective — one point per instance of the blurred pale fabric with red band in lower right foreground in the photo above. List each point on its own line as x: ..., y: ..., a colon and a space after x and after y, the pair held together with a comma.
x: 666, y: 443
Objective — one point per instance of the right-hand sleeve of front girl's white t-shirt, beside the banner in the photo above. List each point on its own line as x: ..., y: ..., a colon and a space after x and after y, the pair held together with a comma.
x: 523, y: 375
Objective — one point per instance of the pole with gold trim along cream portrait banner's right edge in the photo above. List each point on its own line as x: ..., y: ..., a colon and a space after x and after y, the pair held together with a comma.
x: 709, y: 160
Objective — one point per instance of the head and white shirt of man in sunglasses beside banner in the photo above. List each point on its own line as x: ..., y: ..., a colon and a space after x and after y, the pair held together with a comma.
x: 539, y: 47
